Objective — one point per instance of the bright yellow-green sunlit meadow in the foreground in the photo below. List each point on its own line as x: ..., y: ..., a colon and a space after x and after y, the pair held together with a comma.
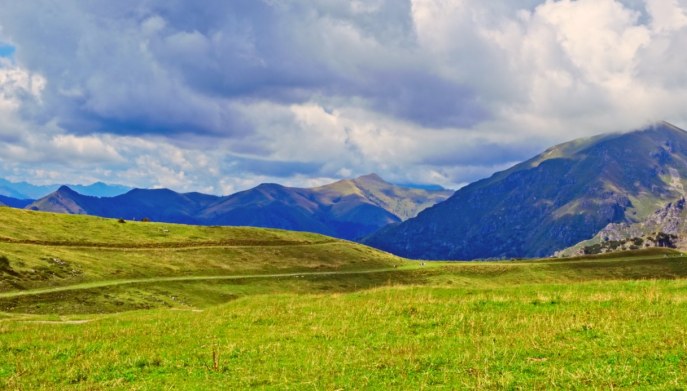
x: 586, y: 335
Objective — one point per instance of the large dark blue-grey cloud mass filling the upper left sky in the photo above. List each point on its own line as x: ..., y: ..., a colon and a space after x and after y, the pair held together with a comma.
x: 175, y: 67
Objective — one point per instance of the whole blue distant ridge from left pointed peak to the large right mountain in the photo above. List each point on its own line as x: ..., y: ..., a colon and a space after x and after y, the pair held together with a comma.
x: 348, y: 209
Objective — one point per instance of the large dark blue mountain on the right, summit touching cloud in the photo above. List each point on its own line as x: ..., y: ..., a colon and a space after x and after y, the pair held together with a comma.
x: 554, y: 200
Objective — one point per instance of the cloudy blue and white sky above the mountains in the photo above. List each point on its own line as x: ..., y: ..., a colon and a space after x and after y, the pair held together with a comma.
x: 218, y: 96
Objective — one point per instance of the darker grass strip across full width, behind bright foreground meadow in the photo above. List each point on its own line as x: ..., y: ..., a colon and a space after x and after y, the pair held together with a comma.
x: 205, y: 293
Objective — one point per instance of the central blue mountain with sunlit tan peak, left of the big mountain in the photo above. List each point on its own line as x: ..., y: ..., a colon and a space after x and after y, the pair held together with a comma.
x: 348, y: 209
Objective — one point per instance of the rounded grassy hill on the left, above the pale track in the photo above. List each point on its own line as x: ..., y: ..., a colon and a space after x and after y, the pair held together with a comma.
x: 42, y: 250
